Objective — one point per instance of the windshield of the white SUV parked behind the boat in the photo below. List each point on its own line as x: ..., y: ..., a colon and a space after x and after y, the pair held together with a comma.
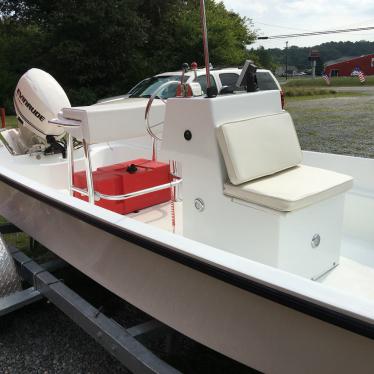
x: 149, y: 86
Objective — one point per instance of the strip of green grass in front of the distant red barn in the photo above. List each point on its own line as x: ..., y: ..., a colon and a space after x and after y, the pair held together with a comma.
x: 335, y: 82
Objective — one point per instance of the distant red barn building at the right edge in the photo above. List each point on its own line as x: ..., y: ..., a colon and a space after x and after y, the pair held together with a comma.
x: 344, y: 68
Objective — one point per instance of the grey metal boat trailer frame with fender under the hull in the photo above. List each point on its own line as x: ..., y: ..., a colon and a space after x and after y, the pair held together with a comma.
x: 122, y: 343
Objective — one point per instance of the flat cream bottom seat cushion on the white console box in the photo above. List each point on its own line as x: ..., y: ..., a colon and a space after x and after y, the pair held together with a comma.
x: 292, y: 189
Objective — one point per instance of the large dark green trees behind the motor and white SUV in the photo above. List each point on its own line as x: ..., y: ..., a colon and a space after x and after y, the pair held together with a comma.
x: 98, y: 48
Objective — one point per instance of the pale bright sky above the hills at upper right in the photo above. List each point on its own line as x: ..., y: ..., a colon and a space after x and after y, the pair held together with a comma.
x: 277, y: 17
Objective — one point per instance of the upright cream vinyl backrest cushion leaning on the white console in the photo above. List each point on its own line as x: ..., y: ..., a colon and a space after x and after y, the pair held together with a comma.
x: 258, y: 147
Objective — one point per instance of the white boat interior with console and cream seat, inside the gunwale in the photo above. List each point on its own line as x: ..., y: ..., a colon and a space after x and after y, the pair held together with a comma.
x: 275, y: 219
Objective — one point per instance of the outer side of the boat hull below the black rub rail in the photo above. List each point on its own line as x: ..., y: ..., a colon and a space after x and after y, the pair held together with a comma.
x: 249, y: 328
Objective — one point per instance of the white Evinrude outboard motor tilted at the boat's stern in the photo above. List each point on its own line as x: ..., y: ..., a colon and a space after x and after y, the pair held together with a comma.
x: 37, y: 99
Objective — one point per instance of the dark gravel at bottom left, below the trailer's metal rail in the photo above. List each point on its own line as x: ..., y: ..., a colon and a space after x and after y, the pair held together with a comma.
x: 41, y: 339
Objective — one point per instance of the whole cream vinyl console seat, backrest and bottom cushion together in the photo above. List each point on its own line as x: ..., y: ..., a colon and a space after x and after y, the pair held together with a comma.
x: 263, y: 156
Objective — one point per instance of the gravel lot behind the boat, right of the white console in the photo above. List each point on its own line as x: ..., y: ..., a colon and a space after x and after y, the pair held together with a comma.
x: 343, y: 125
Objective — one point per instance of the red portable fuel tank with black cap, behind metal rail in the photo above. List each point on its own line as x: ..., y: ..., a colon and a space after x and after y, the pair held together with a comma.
x: 128, y: 177
